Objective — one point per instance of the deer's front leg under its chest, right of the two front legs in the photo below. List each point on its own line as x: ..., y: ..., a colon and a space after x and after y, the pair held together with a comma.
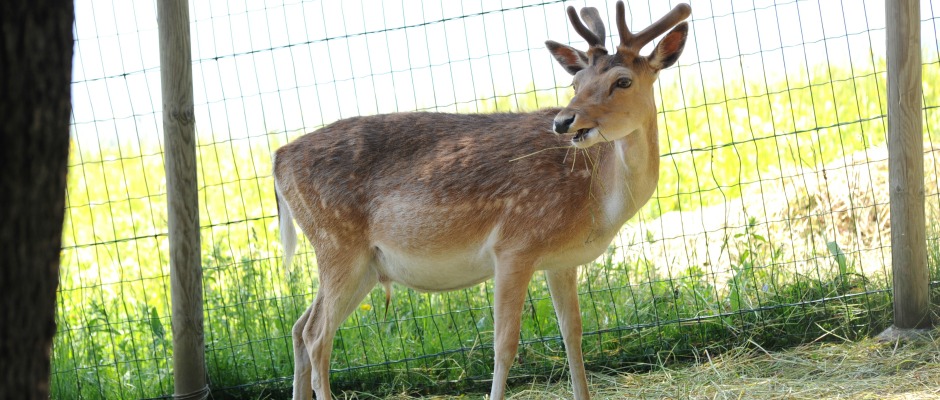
x: 563, y: 285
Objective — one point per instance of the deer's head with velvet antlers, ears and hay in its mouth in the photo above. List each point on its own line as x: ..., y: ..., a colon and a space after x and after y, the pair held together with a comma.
x: 613, y: 93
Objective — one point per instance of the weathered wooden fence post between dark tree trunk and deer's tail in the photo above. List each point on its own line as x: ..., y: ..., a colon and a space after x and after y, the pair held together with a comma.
x: 176, y: 82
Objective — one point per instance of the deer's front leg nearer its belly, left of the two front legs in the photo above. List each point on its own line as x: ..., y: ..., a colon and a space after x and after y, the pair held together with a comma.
x: 511, y: 281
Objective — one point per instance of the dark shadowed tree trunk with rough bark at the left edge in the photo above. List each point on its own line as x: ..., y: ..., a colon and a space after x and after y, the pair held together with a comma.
x: 35, y: 102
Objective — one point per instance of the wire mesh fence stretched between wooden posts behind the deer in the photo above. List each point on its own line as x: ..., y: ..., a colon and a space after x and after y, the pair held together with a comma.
x: 769, y: 226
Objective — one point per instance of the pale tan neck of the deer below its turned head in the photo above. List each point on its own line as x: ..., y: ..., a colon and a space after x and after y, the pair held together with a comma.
x: 628, y: 174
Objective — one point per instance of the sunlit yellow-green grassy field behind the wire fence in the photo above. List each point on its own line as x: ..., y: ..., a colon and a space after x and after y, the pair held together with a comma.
x: 718, y: 143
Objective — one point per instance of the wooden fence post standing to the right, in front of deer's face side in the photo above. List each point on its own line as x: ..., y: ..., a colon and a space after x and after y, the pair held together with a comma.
x: 906, y: 166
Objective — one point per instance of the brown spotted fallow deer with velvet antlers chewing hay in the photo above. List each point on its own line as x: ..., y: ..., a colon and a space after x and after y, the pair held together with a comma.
x: 438, y: 202
